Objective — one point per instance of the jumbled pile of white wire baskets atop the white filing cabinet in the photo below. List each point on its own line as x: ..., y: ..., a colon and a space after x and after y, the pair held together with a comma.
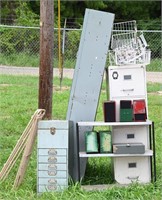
x: 128, y: 46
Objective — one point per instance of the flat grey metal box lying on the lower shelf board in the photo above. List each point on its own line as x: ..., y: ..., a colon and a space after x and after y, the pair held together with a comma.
x: 129, y: 148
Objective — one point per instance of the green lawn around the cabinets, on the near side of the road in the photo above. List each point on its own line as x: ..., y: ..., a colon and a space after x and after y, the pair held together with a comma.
x: 19, y: 100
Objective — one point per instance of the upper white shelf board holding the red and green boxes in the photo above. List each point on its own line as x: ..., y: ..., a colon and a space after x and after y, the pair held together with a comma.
x: 148, y: 122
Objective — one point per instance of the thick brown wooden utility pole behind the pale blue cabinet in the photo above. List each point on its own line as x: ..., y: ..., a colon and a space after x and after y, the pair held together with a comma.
x: 46, y: 56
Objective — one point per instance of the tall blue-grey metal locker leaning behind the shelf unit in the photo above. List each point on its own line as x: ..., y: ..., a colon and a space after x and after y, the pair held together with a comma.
x: 87, y: 80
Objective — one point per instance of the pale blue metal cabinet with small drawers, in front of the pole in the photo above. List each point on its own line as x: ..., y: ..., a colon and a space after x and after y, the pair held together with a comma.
x: 52, y: 153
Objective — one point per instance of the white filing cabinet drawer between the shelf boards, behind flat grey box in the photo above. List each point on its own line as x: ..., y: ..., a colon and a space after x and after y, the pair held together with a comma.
x: 131, y: 134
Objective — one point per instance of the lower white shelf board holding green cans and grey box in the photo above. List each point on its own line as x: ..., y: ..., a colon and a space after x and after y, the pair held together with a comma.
x: 87, y: 155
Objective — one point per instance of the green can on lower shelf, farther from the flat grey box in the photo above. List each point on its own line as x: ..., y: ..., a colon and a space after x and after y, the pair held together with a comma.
x: 91, y: 139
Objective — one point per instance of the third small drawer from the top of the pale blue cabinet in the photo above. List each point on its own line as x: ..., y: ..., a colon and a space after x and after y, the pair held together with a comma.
x: 52, y: 167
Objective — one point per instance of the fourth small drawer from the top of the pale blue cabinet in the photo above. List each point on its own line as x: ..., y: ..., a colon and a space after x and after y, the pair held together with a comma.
x: 52, y: 173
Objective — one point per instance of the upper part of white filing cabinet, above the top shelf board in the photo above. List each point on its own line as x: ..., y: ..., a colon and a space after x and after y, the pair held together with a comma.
x: 127, y: 83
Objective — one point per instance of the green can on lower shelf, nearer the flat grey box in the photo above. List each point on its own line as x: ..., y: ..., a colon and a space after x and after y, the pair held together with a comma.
x: 105, y: 141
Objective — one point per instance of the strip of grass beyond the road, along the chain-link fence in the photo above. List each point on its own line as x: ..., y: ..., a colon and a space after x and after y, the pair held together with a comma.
x: 31, y: 60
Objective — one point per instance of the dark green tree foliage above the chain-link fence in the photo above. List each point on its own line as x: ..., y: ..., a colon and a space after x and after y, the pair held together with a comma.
x: 27, y: 12
